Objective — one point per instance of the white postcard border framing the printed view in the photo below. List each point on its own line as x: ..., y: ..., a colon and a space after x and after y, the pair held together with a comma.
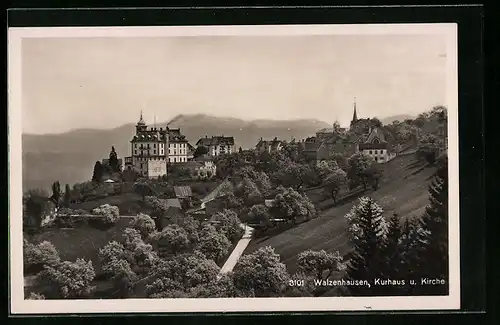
x: 21, y: 306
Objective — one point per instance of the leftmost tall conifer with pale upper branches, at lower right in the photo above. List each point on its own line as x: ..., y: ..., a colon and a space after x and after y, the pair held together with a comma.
x: 368, y: 230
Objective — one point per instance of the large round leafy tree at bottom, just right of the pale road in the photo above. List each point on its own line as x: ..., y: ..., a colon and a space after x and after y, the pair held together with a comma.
x: 261, y: 274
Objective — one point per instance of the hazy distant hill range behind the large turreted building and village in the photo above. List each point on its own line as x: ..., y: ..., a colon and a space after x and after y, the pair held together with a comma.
x: 69, y: 157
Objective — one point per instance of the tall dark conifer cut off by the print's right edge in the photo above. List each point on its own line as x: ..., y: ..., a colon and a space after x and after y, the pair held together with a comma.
x: 434, y: 234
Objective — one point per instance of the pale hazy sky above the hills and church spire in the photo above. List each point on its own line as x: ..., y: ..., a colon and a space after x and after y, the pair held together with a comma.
x: 72, y: 83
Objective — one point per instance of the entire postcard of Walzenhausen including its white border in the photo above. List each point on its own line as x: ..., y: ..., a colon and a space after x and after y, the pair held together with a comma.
x: 234, y: 168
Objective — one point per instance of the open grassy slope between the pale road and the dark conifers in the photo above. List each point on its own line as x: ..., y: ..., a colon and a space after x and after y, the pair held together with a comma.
x: 403, y: 190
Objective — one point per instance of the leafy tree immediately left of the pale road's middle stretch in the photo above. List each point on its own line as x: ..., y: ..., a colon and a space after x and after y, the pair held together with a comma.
x: 215, y: 245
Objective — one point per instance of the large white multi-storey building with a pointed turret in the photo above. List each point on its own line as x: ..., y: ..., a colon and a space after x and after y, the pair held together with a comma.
x: 151, y: 149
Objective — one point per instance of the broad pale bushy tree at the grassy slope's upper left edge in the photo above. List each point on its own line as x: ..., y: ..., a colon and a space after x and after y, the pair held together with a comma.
x: 291, y: 205
